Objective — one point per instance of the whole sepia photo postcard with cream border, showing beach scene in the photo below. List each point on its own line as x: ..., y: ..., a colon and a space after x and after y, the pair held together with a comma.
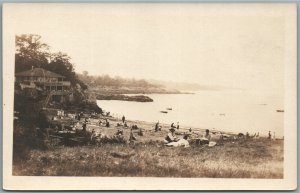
x: 167, y: 91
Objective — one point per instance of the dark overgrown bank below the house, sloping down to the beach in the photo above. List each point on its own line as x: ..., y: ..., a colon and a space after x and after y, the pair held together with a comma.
x: 30, y: 101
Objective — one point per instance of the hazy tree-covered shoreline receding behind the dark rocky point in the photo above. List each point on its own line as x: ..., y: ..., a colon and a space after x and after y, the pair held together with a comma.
x: 118, y: 85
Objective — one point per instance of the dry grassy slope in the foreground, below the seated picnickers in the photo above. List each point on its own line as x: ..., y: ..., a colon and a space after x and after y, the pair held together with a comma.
x: 251, y: 158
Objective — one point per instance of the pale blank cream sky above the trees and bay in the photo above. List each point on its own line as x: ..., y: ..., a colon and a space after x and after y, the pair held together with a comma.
x: 232, y: 46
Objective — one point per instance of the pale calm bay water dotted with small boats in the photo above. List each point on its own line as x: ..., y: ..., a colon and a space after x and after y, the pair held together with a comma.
x: 229, y: 110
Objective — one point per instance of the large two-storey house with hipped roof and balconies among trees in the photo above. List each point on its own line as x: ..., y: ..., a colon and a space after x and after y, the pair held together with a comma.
x: 45, y: 79
